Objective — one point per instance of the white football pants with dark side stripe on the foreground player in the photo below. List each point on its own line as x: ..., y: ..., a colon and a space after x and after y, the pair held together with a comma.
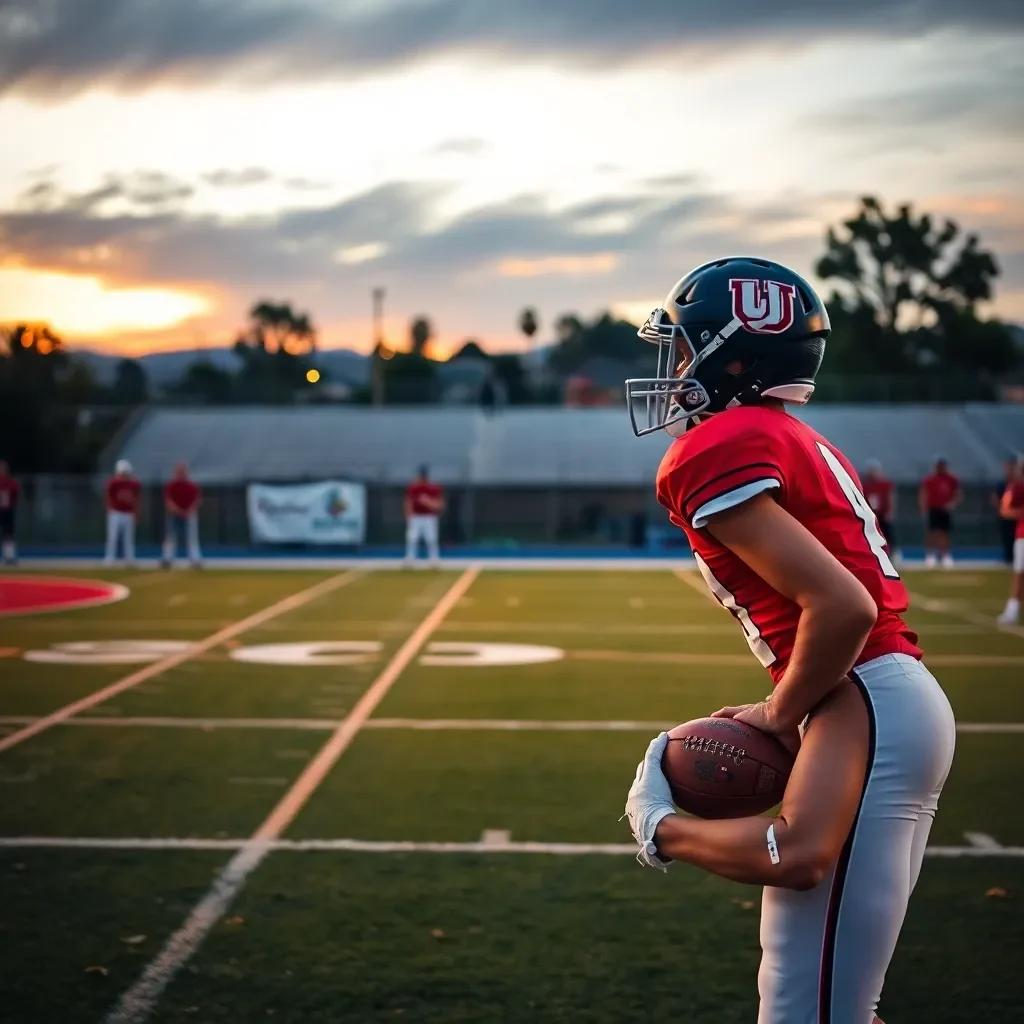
x: 826, y: 952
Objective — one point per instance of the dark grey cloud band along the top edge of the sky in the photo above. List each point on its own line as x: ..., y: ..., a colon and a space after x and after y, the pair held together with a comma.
x: 54, y: 47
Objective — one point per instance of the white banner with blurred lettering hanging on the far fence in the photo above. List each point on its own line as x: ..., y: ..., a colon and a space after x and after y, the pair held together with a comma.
x: 329, y: 513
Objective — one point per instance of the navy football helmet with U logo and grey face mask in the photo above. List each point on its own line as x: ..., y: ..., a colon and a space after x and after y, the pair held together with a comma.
x: 732, y: 333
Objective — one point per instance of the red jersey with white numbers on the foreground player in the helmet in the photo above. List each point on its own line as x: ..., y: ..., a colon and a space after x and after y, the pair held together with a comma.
x: 732, y: 457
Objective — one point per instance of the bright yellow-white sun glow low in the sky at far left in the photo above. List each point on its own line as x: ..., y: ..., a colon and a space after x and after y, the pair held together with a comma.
x: 87, y: 307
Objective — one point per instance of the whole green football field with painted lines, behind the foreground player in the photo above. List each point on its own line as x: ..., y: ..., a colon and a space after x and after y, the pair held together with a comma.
x: 453, y: 854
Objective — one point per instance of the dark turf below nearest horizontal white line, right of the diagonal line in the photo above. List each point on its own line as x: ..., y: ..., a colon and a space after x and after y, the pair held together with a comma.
x: 340, y: 937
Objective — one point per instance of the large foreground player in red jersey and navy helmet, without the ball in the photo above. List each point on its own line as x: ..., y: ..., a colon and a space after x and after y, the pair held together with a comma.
x: 788, y: 543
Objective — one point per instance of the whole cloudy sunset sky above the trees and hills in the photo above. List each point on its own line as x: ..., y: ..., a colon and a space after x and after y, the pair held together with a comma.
x: 167, y: 162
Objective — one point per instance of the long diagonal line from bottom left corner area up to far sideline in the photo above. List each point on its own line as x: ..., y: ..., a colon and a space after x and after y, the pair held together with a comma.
x: 136, y: 1005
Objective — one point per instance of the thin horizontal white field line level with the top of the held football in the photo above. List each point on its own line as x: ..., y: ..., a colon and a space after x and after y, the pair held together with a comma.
x: 425, y: 724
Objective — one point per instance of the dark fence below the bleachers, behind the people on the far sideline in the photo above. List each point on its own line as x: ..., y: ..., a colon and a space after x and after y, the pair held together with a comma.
x: 67, y: 513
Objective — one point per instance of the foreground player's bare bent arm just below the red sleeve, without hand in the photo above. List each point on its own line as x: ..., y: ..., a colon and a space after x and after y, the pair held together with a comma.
x: 837, y: 613
